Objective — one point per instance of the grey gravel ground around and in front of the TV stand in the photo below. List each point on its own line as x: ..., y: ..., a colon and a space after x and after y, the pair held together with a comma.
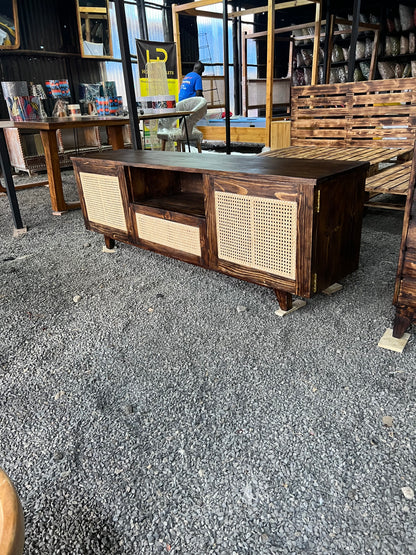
x: 152, y: 416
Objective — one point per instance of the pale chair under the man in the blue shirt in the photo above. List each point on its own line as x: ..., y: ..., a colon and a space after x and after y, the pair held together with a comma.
x: 167, y: 130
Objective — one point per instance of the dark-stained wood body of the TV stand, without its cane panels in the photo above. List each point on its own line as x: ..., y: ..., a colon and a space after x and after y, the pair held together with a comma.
x: 181, y: 188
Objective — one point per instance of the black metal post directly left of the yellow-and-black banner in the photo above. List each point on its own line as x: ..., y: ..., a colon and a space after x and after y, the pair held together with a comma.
x: 128, y: 74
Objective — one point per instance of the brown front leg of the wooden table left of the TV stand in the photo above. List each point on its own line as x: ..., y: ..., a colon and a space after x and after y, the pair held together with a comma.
x: 50, y: 146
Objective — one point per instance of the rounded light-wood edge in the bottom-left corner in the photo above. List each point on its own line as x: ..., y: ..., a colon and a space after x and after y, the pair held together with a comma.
x: 12, y: 528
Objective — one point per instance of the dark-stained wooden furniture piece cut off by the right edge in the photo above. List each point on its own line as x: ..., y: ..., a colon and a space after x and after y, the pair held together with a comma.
x: 405, y: 288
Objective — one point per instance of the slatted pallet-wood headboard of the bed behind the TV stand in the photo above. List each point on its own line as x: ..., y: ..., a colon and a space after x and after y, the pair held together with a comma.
x: 354, y: 114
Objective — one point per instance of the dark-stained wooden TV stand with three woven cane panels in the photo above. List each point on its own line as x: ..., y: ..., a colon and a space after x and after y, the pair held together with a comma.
x: 293, y: 227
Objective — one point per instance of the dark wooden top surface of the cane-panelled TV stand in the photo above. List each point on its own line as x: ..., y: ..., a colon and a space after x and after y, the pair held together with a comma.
x: 290, y: 169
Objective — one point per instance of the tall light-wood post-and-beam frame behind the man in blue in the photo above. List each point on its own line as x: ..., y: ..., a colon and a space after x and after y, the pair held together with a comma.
x: 194, y: 9
